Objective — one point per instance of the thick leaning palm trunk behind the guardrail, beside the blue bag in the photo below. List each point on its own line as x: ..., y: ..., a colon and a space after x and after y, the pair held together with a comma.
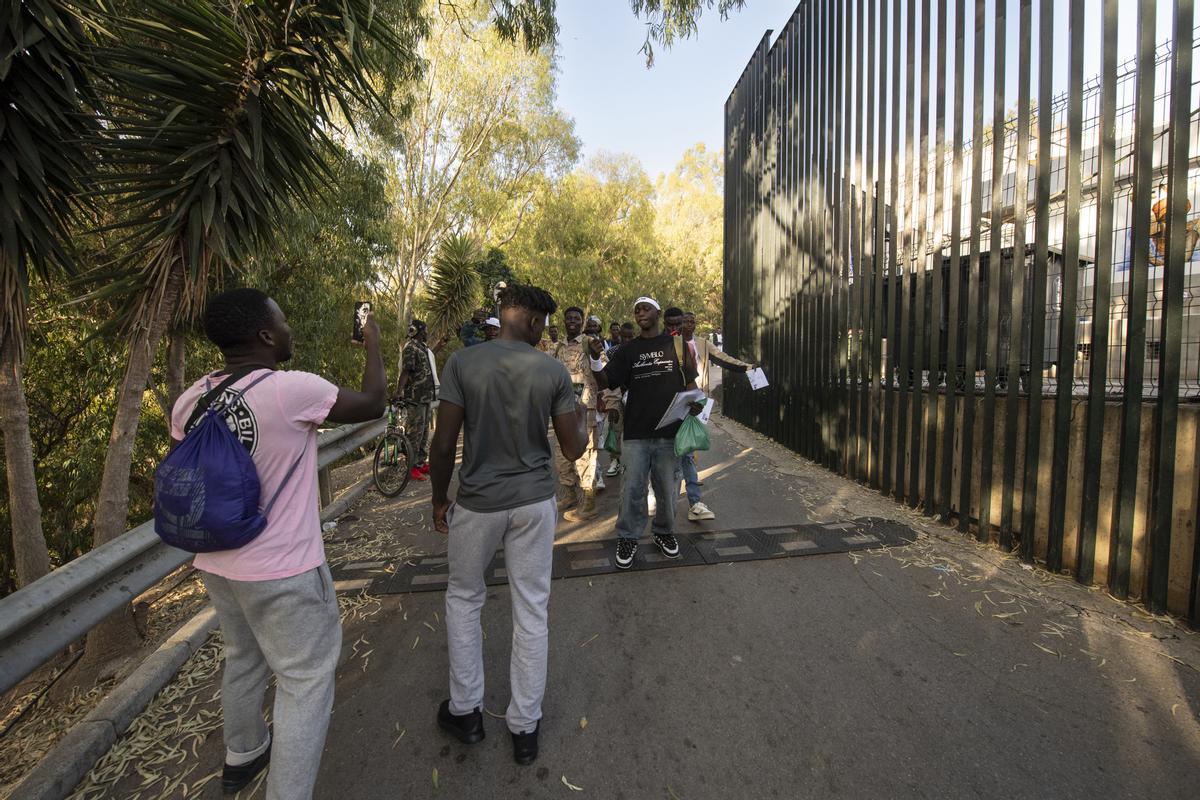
x: 118, y: 634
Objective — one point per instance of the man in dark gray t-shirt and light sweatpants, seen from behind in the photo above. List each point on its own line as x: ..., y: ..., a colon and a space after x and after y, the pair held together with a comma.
x: 501, y: 394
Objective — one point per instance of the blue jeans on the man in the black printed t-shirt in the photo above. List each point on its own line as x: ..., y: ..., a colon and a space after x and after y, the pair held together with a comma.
x: 651, y: 460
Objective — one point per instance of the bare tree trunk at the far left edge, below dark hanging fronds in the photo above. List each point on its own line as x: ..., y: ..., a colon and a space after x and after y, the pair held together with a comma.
x: 28, y: 542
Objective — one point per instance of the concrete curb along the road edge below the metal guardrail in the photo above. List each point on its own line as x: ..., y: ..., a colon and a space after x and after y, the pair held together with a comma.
x: 61, y: 771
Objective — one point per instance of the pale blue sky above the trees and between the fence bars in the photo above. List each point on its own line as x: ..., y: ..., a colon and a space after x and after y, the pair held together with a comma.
x: 657, y: 115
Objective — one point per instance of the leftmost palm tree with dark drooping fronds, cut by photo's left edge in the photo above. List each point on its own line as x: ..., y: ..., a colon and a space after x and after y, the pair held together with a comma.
x: 45, y: 122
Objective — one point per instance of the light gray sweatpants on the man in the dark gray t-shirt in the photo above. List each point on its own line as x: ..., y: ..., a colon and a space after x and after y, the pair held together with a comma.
x: 529, y: 537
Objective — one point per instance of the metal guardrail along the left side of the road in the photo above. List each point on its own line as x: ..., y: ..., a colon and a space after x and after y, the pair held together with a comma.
x: 47, y: 616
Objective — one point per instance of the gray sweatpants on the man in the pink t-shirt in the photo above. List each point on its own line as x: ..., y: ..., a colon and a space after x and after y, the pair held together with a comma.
x: 291, y: 628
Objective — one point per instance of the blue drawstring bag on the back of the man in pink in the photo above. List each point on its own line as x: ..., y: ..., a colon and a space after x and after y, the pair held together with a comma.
x: 207, y: 490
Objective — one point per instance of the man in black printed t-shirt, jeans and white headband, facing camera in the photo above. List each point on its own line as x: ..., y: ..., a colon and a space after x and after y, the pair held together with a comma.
x: 652, y: 369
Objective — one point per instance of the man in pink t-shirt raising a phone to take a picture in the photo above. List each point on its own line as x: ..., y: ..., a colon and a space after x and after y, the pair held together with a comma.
x: 274, y: 597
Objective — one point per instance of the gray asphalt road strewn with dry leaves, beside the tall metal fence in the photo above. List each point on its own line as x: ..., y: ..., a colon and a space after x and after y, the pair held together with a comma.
x: 941, y: 670
